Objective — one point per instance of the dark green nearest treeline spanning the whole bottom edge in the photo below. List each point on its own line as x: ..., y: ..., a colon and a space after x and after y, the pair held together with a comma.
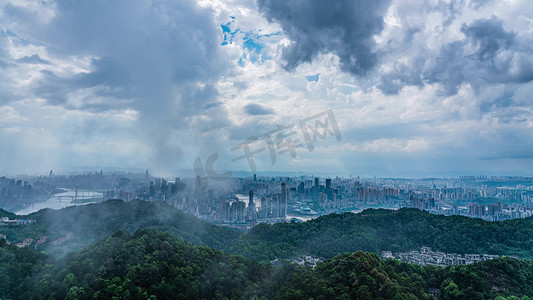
x: 151, y: 264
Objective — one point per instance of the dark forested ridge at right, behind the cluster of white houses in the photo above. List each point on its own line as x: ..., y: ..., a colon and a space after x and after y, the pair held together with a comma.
x: 376, y: 230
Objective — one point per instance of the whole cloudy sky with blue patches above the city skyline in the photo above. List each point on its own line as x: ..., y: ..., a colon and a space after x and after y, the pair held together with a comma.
x: 350, y: 87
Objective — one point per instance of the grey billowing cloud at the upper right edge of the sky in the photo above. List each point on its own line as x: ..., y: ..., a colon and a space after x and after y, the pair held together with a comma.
x: 488, y: 54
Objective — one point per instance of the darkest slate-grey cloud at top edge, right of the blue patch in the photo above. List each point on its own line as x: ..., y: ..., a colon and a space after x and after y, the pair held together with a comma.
x: 345, y: 28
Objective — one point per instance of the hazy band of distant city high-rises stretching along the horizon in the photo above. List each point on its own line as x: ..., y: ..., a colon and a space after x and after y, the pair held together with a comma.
x: 244, y: 202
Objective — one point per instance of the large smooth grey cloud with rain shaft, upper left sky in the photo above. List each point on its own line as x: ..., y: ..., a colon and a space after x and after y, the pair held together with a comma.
x: 160, y: 58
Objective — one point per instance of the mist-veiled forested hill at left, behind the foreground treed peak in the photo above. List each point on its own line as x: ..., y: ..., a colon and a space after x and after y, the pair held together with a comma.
x: 88, y: 223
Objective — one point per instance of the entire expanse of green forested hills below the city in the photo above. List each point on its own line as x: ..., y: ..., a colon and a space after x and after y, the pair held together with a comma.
x: 131, y: 262
